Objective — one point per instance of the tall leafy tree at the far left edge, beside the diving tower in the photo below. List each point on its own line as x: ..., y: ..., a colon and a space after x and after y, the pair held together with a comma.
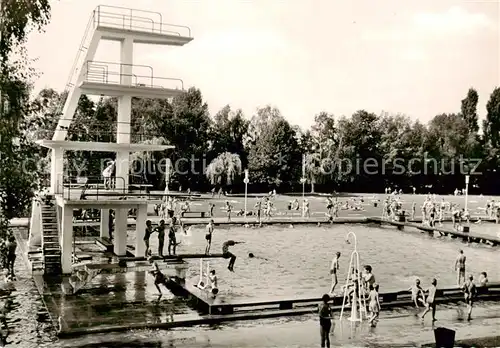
x: 18, y: 169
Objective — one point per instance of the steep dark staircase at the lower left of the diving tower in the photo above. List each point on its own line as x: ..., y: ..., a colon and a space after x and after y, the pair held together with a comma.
x: 51, y: 248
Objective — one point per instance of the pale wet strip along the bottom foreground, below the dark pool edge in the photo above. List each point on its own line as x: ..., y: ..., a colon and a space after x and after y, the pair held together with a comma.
x: 395, y: 328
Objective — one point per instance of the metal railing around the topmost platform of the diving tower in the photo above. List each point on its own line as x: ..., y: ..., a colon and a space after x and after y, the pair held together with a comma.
x: 138, y: 20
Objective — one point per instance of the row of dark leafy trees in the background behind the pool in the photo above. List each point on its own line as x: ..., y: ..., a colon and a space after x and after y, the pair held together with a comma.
x: 364, y: 152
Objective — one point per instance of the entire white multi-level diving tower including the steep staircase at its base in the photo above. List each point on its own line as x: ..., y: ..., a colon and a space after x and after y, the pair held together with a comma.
x: 51, y: 227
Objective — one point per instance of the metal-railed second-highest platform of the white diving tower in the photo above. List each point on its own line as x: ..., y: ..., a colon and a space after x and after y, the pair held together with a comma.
x: 103, y: 72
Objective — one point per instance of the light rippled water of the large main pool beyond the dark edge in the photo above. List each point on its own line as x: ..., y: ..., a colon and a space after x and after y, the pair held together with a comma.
x: 293, y: 262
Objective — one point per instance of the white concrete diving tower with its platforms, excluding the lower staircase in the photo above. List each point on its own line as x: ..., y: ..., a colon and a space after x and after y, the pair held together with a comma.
x: 121, y: 79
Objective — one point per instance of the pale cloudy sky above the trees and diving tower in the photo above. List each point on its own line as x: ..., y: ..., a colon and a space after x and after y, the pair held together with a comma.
x: 416, y: 57
